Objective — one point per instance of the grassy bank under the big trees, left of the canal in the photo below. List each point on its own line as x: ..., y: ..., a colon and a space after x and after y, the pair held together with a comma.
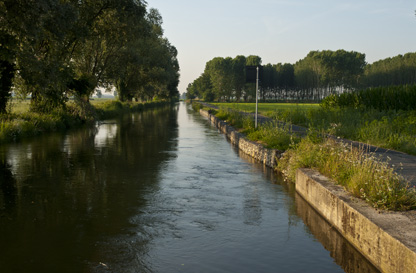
x: 21, y: 123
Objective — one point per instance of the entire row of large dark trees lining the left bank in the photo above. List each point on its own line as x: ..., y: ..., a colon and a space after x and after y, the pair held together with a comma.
x: 56, y: 49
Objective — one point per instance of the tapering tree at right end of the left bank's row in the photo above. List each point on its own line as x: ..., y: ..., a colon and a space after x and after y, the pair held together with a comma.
x: 148, y: 68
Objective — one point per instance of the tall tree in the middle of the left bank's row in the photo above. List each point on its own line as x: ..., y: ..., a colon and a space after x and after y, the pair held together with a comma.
x: 111, y: 26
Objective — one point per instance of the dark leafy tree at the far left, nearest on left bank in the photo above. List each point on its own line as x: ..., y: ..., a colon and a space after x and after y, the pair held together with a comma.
x: 38, y: 45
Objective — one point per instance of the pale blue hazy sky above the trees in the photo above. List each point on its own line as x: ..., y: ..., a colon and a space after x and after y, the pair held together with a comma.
x: 284, y: 31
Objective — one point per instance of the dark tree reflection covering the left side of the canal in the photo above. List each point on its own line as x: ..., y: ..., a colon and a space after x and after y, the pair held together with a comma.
x: 61, y: 195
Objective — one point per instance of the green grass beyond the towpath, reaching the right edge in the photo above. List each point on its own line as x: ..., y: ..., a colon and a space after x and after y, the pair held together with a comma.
x: 390, y: 129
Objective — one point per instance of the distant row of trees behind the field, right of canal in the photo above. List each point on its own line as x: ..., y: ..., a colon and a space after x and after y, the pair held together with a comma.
x: 312, y: 78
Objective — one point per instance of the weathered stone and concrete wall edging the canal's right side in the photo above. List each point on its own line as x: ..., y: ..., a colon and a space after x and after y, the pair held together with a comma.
x: 386, y: 239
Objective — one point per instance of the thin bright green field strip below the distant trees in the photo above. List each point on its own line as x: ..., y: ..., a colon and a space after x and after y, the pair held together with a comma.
x: 265, y: 108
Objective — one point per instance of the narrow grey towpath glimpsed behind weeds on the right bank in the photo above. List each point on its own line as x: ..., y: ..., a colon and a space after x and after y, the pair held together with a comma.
x: 404, y: 164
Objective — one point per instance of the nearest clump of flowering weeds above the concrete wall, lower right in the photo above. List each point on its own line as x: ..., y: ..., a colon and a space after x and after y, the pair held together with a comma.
x: 360, y: 173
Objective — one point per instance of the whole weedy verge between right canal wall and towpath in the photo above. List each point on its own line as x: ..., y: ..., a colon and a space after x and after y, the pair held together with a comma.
x: 358, y: 172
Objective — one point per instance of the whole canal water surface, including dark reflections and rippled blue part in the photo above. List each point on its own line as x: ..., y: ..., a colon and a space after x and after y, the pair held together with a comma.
x: 158, y: 191
